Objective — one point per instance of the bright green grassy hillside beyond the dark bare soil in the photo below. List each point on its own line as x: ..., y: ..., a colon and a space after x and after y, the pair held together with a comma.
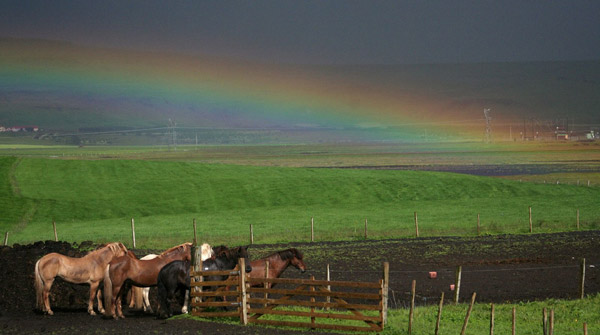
x: 96, y: 199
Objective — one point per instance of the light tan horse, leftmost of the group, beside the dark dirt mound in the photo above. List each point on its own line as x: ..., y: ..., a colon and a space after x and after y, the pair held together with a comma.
x: 88, y: 269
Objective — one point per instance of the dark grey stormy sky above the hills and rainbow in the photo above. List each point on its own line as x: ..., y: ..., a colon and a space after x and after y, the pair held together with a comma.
x: 321, y: 31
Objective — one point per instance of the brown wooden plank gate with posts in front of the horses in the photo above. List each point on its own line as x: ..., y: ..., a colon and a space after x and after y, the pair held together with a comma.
x: 255, y: 301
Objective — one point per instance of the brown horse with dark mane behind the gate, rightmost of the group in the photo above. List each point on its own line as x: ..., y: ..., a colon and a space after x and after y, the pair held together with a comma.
x: 278, y: 262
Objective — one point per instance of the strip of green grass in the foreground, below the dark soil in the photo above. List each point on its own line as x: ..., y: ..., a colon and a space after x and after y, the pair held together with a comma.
x: 569, y: 317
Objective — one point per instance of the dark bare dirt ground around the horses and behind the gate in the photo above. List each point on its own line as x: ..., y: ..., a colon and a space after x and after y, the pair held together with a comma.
x: 503, y: 268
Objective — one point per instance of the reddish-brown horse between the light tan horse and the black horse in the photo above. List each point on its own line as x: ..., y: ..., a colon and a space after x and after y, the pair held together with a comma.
x: 141, y: 273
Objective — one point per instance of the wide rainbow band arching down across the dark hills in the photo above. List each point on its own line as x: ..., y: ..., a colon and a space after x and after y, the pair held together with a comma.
x: 211, y: 92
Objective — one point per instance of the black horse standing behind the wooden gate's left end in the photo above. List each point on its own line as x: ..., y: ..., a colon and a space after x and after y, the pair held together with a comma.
x: 175, y: 277
